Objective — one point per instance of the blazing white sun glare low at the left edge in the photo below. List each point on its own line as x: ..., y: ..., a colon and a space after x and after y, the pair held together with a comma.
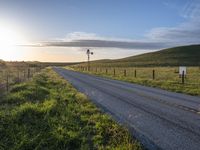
x: 10, y: 41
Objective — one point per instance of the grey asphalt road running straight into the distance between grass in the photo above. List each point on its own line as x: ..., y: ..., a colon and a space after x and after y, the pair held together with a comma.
x: 158, y: 118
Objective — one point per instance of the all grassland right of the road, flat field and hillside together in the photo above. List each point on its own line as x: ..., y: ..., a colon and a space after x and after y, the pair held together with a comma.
x: 164, y: 62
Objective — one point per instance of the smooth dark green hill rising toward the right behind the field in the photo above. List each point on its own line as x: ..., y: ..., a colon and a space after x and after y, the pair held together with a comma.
x: 177, y: 56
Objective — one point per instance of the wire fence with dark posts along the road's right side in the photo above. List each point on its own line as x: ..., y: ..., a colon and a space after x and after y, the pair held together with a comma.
x: 157, y: 74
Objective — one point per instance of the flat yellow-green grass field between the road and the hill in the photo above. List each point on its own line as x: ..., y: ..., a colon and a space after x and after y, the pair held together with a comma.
x: 164, y: 77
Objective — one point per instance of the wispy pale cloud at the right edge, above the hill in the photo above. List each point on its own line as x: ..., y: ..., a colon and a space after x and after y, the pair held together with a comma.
x: 186, y: 33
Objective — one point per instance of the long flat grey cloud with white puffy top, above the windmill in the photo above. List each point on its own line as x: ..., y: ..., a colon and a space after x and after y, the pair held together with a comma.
x: 88, y: 40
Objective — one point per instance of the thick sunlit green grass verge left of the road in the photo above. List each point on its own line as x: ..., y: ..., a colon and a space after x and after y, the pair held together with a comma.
x: 48, y: 113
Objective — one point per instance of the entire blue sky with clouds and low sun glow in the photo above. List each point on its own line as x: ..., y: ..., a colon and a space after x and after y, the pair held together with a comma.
x: 62, y: 30
